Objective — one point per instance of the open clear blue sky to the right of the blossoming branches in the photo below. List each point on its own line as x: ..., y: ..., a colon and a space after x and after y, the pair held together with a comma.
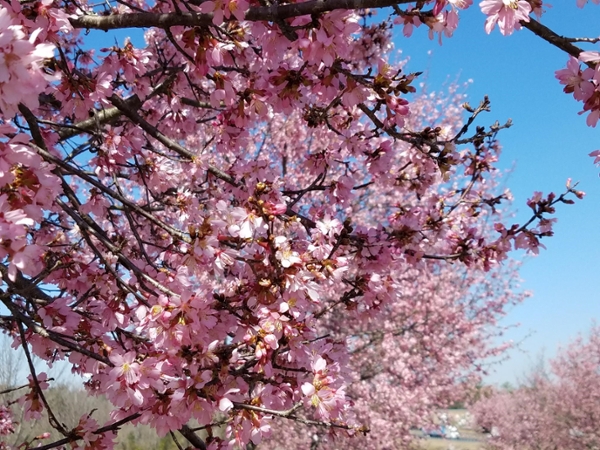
x: 548, y: 143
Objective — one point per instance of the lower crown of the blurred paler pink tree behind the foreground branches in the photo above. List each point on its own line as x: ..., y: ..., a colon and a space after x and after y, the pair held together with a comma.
x: 417, y: 354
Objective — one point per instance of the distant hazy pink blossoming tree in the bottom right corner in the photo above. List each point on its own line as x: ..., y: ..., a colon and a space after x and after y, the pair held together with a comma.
x: 555, y: 410
